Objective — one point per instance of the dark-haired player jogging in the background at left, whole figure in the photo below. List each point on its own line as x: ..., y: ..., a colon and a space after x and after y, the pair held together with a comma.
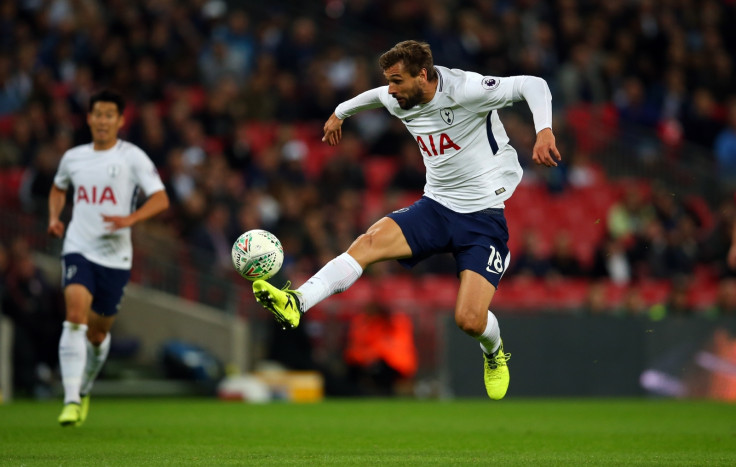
x: 97, y: 251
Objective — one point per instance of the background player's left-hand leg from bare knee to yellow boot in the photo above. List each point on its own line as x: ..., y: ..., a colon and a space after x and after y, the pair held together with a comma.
x: 72, y: 350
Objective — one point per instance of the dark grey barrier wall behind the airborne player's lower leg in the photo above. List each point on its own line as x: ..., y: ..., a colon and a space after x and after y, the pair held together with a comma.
x: 557, y: 355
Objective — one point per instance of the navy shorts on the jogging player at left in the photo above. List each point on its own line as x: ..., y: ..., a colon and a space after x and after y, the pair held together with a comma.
x: 105, y: 284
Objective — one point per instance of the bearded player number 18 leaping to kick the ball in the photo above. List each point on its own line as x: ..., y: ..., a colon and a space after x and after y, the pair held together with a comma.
x: 471, y: 170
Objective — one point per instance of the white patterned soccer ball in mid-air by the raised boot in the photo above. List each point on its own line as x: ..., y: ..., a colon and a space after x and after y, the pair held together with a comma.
x: 257, y: 254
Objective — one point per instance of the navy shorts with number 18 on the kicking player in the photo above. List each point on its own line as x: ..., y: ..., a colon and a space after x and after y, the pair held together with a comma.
x: 477, y: 240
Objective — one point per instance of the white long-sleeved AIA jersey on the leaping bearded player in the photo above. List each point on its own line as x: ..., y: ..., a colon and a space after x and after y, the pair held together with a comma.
x: 470, y: 164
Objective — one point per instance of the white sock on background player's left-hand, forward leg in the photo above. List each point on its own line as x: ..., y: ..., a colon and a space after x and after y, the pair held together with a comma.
x: 72, y: 357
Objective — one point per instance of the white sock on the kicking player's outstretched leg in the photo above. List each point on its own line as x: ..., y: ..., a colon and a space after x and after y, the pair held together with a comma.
x: 334, y: 277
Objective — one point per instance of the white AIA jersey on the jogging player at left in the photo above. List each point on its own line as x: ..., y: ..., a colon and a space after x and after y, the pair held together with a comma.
x: 105, y: 182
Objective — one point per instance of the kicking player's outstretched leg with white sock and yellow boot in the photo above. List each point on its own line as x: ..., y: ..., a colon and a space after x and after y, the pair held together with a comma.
x: 382, y: 241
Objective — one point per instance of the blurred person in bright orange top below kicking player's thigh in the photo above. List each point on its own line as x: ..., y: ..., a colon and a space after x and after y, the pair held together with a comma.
x: 380, y: 350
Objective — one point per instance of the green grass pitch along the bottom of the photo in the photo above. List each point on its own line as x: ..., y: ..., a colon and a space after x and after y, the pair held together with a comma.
x: 525, y: 432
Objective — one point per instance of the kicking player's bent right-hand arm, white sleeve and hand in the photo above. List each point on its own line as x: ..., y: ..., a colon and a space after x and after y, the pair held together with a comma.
x: 536, y: 94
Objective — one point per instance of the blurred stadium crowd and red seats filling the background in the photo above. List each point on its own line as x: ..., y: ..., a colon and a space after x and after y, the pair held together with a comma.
x: 229, y: 100
